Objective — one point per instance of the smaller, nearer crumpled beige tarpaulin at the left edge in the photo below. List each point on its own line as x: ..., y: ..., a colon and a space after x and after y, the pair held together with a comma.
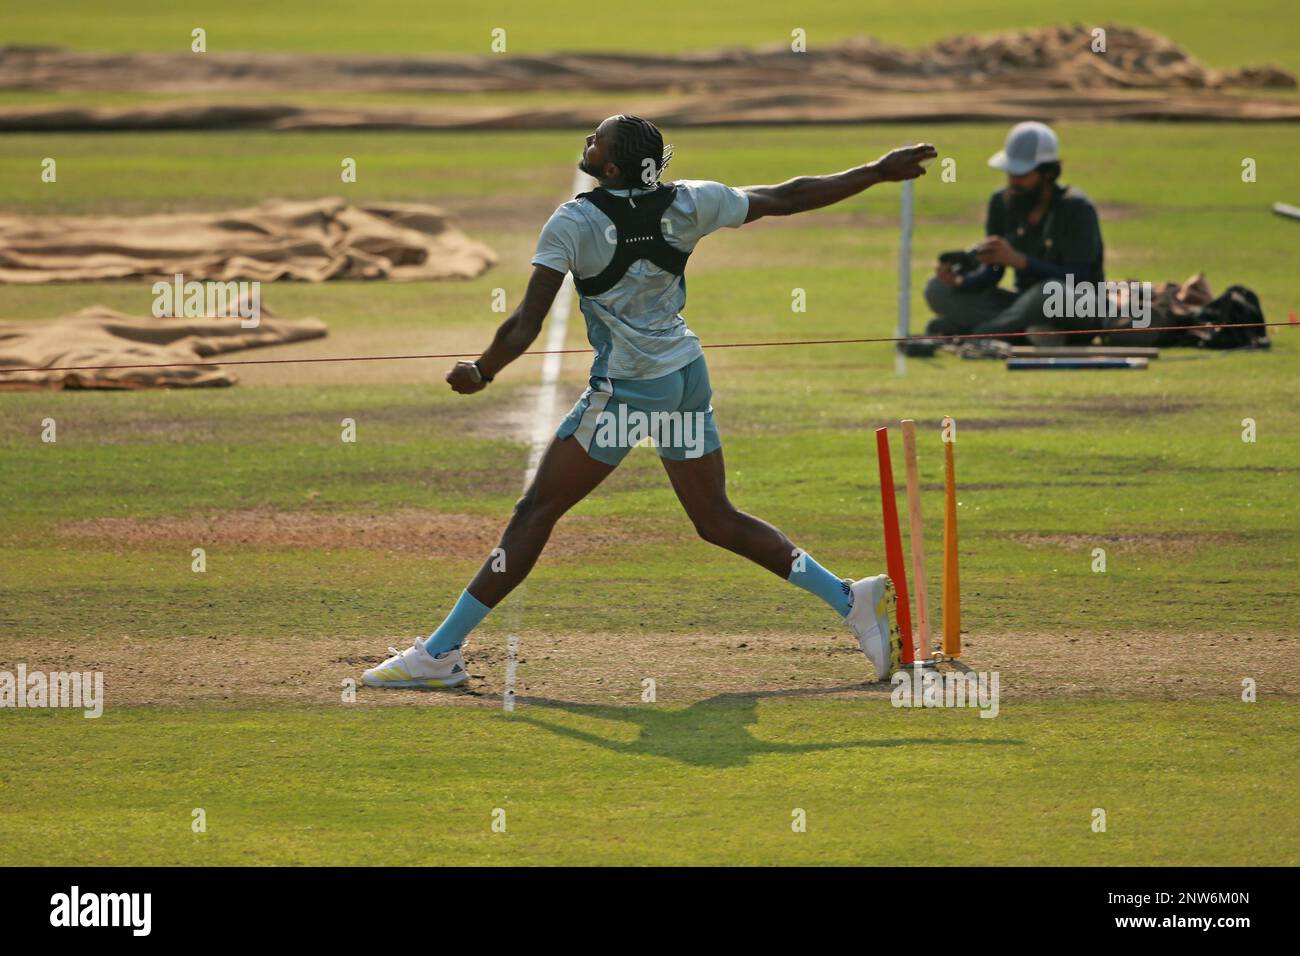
x: 99, y: 336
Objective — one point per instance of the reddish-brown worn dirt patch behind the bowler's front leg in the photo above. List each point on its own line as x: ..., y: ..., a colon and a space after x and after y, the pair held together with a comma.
x: 431, y: 534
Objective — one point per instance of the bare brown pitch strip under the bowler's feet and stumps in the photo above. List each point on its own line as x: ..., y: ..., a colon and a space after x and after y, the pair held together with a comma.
x: 686, y: 667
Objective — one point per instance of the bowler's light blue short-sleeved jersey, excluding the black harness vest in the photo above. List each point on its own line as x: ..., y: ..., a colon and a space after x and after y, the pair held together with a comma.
x: 636, y: 327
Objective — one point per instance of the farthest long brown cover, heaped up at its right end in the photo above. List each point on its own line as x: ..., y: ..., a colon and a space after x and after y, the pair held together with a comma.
x: 1060, y: 58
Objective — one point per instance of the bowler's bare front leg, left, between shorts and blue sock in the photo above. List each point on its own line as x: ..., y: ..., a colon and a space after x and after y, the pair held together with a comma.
x: 565, y: 477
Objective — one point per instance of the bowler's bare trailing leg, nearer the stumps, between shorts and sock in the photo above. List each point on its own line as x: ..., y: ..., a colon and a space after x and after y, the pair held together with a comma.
x: 701, y: 487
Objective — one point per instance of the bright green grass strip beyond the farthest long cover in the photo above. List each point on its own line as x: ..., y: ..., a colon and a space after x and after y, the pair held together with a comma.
x: 1253, y: 32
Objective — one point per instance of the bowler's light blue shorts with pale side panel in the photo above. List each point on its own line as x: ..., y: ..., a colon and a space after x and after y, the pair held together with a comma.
x: 674, y: 412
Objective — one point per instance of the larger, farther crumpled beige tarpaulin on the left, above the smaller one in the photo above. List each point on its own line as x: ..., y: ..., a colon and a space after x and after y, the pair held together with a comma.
x: 314, y: 241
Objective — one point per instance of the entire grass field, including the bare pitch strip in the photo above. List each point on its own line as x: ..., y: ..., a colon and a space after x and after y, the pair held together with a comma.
x: 1120, y: 691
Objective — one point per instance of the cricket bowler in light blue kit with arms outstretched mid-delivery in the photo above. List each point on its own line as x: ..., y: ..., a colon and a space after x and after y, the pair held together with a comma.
x: 627, y: 244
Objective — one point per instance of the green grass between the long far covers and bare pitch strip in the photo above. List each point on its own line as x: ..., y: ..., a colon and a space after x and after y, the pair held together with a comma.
x: 1150, y: 466
